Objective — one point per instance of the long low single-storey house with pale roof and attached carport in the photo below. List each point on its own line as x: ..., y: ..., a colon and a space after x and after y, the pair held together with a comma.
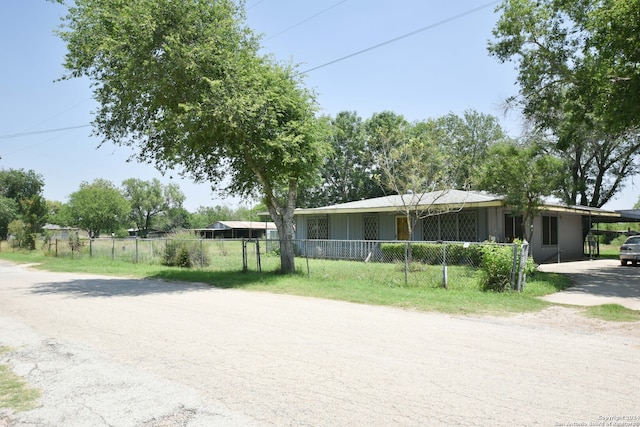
x: 463, y: 216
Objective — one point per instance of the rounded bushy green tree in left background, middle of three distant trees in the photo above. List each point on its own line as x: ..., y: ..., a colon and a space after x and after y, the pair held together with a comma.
x: 98, y: 207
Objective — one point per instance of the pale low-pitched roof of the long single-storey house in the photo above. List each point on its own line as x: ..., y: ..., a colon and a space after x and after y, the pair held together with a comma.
x: 444, y: 200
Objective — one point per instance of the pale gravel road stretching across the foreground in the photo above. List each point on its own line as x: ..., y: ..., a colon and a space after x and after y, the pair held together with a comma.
x: 121, y: 352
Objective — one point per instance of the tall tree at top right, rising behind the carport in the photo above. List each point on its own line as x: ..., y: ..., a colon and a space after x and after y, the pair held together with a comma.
x: 579, y: 81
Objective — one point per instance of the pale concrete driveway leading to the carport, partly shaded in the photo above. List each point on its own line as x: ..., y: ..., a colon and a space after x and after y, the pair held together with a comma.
x: 597, y: 282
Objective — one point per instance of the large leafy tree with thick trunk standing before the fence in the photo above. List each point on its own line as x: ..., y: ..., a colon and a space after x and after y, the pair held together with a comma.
x: 182, y: 80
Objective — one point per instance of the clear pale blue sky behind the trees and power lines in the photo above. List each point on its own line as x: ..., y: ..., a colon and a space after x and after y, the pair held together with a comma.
x: 443, y: 69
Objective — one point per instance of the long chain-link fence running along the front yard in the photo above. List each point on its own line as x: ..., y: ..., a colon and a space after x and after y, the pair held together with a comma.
x: 394, y: 263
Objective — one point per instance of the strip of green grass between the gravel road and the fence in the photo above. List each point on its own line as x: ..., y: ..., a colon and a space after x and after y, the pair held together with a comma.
x: 358, y: 282
